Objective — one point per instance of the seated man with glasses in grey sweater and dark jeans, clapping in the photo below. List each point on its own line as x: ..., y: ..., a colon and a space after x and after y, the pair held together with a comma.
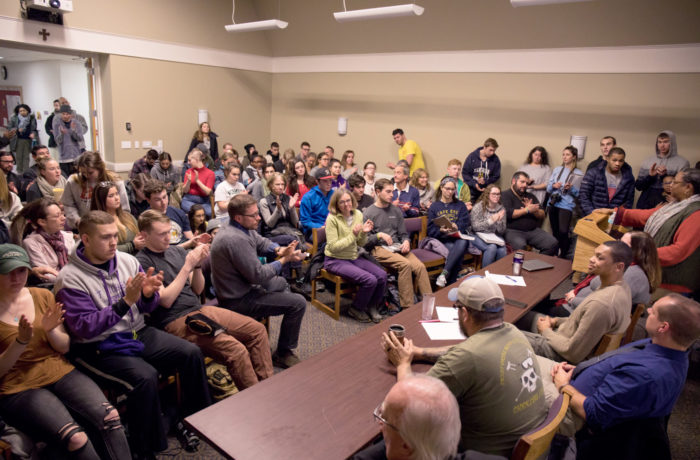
x: 243, y: 284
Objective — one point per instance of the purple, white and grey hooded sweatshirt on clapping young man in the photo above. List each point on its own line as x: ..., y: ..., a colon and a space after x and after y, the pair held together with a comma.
x: 94, y: 298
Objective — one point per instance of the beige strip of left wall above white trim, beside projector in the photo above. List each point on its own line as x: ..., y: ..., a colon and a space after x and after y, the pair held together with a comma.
x: 194, y: 22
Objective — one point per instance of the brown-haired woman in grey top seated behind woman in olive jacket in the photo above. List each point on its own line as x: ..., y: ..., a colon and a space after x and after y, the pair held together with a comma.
x: 77, y: 196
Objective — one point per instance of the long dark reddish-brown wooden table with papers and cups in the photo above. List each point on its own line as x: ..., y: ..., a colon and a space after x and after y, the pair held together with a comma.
x: 322, y: 407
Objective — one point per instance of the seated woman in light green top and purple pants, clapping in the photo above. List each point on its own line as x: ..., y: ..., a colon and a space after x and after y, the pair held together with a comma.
x: 345, y: 233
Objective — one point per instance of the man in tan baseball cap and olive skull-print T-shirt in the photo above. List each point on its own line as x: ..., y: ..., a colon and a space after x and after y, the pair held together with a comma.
x: 493, y: 374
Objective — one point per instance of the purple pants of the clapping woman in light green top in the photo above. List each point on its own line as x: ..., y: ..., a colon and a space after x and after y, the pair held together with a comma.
x: 370, y: 278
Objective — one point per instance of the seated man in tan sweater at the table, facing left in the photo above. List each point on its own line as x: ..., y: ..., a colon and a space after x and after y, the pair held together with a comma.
x: 605, y: 311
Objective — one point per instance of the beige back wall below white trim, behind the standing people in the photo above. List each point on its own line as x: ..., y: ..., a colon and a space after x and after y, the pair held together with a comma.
x: 451, y: 114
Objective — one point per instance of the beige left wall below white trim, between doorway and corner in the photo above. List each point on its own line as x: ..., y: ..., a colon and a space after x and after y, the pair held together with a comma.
x: 161, y: 99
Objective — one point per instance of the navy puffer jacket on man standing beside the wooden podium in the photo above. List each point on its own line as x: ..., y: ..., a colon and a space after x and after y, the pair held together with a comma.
x: 594, y: 189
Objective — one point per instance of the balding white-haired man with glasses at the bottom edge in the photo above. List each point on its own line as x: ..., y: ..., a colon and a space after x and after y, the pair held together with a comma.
x: 419, y: 418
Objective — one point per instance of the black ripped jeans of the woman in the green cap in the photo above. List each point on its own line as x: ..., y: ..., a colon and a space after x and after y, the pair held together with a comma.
x: 45, y: 415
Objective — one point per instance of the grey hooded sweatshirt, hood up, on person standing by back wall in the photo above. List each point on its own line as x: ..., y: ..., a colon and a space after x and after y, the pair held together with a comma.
x: 652, y: 186
